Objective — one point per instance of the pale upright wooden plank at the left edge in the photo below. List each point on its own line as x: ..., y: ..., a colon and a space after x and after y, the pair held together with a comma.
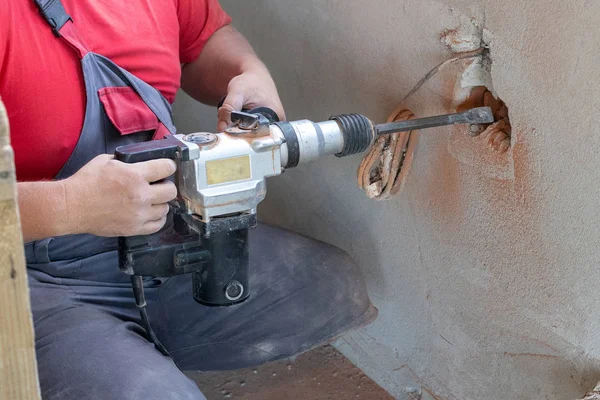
x: 18, y: 366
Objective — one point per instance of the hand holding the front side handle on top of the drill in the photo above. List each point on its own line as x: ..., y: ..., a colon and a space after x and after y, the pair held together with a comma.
x: 251, y: 89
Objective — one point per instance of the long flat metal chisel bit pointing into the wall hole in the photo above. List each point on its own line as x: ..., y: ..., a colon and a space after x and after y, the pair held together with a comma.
x: 480, y: 115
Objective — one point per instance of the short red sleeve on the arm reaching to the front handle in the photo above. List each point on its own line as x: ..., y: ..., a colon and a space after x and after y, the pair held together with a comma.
x: 198, y: 20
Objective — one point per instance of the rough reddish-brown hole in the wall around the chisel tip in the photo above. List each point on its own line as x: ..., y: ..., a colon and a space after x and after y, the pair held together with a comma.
x: 497, y: 135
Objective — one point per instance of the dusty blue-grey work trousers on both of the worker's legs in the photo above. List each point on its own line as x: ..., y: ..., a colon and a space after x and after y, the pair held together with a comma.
x: 90, y: 343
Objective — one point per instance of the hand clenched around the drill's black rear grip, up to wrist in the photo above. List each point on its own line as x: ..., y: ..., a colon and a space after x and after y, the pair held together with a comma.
x: 110, y: 198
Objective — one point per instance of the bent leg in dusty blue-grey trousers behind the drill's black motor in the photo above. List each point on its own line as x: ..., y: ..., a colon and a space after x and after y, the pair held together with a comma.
x: 303, y: 293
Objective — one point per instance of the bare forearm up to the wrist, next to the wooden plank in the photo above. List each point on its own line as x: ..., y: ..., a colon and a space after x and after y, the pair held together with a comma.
x: 43, y: 210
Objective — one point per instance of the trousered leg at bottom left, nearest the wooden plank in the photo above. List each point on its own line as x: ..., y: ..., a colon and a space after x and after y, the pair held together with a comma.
x: 87, y: 352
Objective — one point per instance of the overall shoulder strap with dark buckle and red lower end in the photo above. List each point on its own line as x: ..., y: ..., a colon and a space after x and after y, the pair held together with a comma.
x: 61, y: 23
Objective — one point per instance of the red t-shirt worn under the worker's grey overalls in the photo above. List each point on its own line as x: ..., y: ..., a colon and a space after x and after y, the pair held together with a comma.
x: 41, y: 83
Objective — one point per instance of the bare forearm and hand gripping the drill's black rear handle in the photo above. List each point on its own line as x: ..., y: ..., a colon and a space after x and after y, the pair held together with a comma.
x: 106, y: 197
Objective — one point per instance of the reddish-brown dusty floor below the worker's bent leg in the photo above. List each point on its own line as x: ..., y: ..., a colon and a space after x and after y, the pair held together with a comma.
x: 321, y: 374
